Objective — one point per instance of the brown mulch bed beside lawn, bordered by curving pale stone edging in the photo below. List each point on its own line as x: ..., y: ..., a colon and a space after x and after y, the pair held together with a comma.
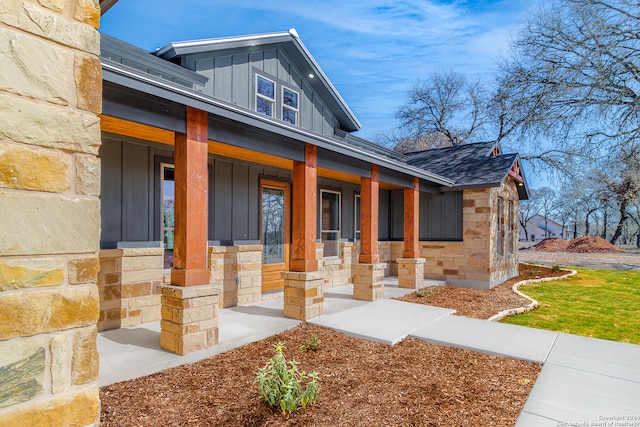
x: 482, y: 303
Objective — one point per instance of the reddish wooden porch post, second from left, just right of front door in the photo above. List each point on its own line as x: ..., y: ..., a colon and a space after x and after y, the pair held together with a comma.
x: 303, y: 252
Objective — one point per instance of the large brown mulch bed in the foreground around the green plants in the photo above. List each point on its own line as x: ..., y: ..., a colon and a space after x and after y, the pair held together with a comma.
x: 361, y: 384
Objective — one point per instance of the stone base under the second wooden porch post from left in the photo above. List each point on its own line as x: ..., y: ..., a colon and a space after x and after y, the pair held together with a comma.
x: 303, y: 294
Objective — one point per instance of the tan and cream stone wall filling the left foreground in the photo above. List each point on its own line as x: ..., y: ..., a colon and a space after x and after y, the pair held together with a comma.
x: 50, y: 99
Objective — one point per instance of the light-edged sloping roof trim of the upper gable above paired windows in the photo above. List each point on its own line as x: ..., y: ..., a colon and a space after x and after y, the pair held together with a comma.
x: 296, y: 52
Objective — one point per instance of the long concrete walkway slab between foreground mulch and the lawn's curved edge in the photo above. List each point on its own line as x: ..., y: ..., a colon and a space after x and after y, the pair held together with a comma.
x: 489, y: 337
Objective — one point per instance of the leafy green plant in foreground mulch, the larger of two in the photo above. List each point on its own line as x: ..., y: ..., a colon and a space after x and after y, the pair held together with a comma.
x: 282, y: 387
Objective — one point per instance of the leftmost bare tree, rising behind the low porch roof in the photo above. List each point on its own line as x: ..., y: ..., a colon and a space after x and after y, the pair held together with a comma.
x: 446, y: 105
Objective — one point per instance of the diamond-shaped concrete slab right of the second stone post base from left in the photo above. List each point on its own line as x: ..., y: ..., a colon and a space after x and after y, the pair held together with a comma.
x: 385, y: 321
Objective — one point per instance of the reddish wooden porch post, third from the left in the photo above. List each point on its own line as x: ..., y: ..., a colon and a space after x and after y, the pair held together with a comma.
x: 369, y: 218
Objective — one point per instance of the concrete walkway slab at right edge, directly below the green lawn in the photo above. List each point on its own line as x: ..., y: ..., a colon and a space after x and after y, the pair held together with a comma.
x: 611, y: 358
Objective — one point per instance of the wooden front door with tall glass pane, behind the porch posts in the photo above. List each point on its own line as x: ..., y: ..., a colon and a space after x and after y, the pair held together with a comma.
x: 274, y: 233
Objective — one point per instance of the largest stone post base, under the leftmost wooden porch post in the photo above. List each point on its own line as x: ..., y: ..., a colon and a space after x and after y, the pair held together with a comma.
x: 189, y: 318
